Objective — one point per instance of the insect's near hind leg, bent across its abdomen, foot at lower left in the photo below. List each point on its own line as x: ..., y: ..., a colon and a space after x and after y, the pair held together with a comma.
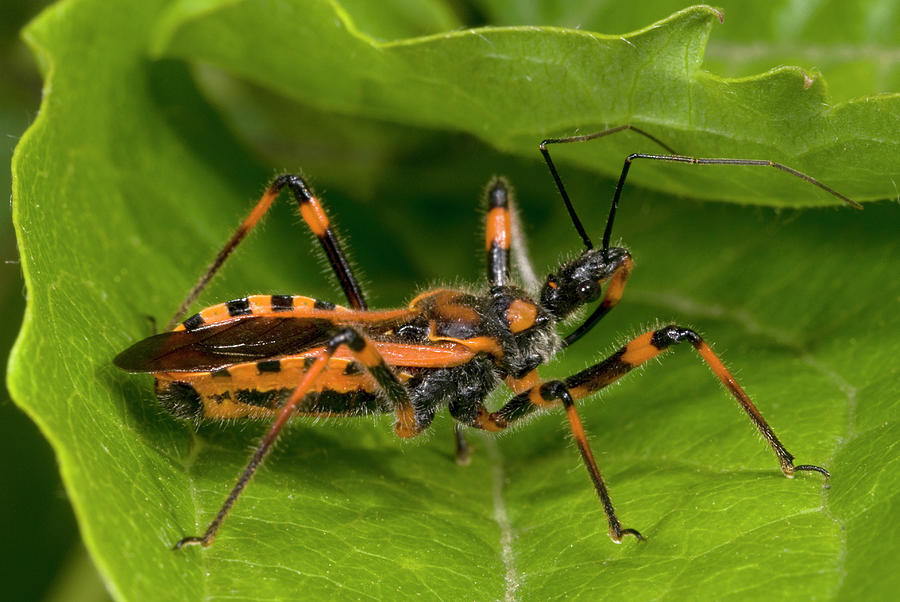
x: 365, y: 353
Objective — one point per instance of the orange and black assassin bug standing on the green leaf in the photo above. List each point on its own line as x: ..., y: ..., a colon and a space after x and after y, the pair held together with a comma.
x: 280, y: 355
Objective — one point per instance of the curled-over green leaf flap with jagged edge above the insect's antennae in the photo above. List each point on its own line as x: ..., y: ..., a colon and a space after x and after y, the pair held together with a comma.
x: 512, y: 86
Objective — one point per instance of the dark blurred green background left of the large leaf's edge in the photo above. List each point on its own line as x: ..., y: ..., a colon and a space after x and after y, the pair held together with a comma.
x: 35, y: 517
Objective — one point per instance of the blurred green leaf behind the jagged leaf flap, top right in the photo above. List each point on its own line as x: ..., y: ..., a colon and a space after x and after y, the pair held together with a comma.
x: 855, y: 43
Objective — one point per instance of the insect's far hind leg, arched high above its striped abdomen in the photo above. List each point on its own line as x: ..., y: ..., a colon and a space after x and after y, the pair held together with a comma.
x: 314, y: 216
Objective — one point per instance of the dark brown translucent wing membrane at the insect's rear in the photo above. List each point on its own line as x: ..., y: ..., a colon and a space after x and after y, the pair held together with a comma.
x: 222, y: 344
